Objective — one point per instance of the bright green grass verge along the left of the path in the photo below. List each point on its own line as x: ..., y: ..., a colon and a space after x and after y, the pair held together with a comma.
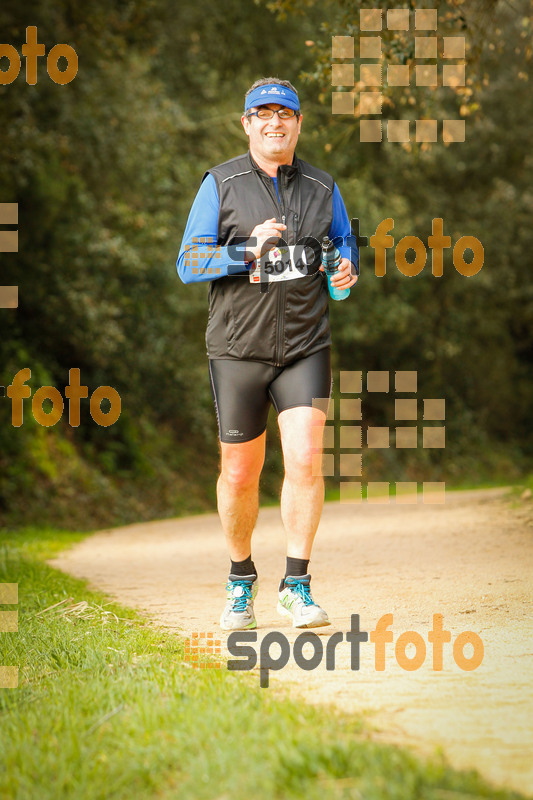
x: 107, y: 708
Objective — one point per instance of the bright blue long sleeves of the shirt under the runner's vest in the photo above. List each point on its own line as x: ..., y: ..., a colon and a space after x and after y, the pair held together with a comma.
x: 202, y: 229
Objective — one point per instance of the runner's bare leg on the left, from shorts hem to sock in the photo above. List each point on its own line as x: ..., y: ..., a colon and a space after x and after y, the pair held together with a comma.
x: 238, y: 493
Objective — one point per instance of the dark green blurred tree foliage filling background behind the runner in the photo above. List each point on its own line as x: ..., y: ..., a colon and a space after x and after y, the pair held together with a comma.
x: 104, y: 171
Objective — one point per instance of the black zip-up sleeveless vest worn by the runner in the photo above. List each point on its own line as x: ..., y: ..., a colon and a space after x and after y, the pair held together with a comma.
x: 290, y: 320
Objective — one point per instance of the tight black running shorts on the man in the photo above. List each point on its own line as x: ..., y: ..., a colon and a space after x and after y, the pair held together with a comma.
x: 244, y: 390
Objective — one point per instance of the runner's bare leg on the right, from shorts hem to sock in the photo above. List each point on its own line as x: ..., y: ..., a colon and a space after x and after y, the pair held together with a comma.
x: 302, y: 495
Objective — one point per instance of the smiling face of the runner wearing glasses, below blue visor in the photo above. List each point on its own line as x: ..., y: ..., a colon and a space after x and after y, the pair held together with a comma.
x: 272, y: 141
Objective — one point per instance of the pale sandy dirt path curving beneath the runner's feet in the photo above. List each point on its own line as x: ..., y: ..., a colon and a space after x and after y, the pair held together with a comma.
x: 470, y: 560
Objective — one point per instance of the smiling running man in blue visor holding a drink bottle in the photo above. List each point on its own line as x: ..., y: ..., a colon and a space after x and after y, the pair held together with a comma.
x: 267, y: 343
